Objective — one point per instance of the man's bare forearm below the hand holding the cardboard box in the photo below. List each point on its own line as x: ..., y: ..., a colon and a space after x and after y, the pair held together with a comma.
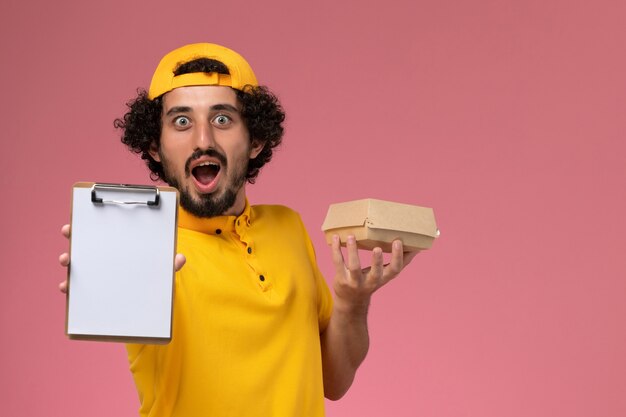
x: 345, y: 343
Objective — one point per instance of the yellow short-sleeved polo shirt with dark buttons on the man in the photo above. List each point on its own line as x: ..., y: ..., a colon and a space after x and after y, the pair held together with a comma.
x: 249, y: 306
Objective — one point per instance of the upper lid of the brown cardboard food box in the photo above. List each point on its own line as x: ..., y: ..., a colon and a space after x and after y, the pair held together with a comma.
x: 380, y: 214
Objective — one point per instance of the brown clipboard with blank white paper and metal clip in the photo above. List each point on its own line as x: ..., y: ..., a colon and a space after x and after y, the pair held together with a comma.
x: 121, y: 273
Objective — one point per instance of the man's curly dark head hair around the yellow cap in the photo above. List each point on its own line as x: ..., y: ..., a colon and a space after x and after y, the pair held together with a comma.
x: 260, y: 110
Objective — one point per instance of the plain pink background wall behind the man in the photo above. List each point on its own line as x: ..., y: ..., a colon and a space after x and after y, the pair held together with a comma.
x: 506, y: 116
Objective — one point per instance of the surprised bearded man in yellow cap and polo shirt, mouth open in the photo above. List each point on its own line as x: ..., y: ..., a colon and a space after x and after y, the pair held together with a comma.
x: 256, y: 331
